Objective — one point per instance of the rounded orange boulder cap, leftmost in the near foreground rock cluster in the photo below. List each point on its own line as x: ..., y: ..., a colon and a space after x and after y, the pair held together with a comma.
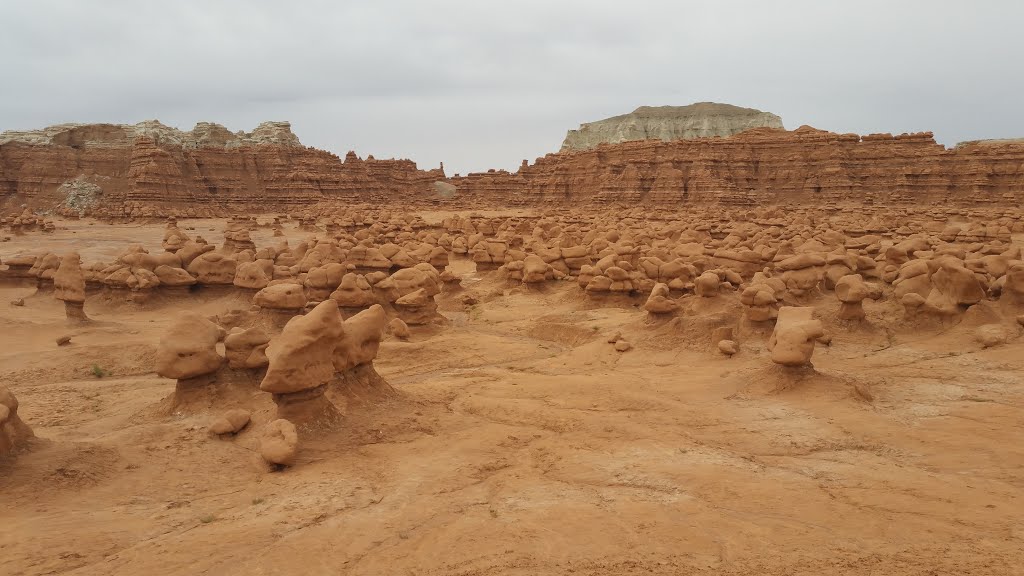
x: 190, y: 348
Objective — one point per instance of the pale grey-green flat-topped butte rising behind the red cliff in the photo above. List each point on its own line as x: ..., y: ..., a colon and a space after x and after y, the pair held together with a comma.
x: 670, y: 124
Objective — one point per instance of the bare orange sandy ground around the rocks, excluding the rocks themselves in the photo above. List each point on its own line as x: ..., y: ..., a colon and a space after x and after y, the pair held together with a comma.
x: 523, y: 444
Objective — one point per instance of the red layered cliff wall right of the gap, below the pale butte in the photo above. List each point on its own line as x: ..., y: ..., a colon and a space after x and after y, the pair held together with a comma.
x: 764, y: 167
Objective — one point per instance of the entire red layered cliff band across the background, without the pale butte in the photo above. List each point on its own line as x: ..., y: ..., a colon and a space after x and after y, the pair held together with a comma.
x: 127, y: 171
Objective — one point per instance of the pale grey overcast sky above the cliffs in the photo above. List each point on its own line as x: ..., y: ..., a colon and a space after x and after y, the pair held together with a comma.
x: 481, y: 85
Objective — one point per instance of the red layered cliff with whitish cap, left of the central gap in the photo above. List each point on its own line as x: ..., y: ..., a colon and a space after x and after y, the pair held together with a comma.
x: 151, y: 169
